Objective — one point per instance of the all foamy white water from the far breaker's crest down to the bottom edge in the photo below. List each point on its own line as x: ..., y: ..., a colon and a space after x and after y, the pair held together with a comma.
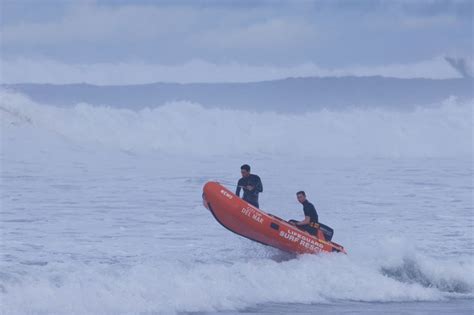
x: 101, y: 209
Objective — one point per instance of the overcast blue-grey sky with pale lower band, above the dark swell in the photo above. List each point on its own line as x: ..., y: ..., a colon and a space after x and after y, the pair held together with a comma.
x: 117, y: 42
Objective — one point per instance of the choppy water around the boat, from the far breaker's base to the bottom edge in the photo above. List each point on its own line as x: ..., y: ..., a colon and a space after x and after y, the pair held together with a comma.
x: 95, y: 229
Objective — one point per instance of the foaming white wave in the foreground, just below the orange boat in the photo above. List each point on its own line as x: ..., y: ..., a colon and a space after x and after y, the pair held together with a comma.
x: 179, y: 286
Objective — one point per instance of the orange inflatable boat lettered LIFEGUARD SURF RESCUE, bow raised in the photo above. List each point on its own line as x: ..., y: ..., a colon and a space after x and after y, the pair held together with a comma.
x: 245, y: 220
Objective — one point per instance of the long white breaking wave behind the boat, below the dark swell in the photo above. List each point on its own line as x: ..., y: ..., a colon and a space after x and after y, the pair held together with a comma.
x: 187, y: 128
